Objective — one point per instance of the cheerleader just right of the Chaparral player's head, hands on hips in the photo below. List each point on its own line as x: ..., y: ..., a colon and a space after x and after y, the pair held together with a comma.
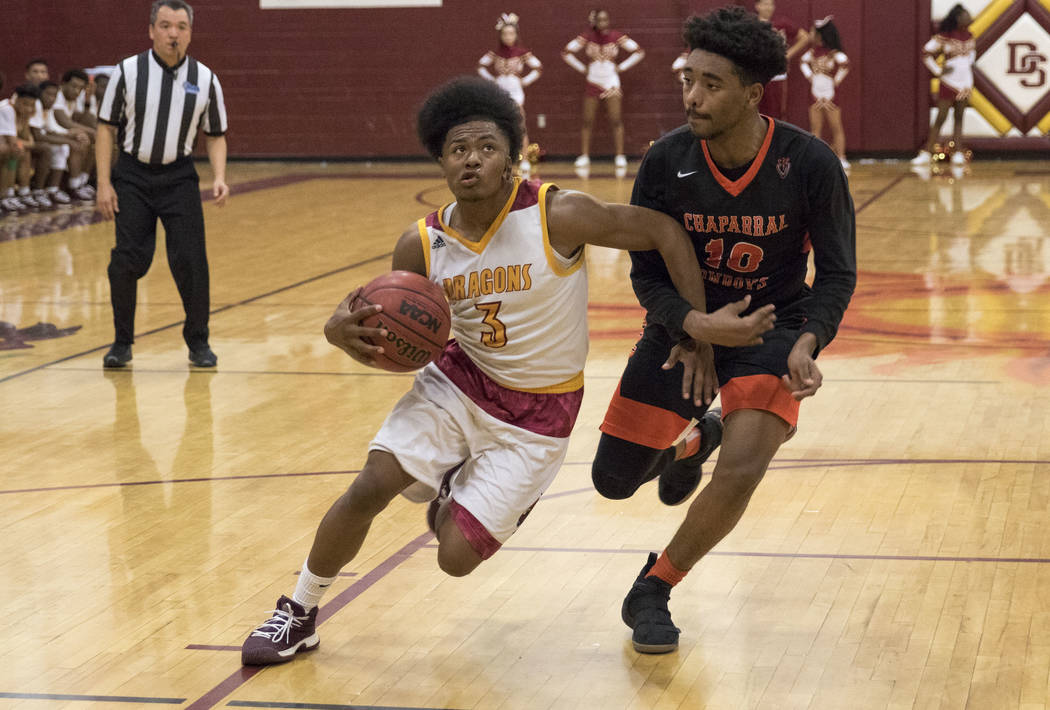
x: 826, y: 66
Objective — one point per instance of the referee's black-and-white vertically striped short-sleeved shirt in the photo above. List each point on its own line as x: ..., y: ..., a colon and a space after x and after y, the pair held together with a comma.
x: 160, y: 109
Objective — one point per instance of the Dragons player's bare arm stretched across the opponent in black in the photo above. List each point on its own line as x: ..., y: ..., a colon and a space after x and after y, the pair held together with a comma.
x: 577, y: 219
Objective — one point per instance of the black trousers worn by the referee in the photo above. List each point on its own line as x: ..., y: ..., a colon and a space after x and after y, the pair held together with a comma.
x: 172, y: 194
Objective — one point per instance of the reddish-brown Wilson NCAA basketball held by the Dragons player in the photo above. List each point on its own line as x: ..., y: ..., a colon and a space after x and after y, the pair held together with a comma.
x: 416, y: 318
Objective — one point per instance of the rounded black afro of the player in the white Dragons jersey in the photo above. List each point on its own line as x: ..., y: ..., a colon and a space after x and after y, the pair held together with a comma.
x: 464, y: 100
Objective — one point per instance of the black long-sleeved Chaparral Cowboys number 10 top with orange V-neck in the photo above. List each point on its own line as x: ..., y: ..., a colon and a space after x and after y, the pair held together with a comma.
x: 753, y: 233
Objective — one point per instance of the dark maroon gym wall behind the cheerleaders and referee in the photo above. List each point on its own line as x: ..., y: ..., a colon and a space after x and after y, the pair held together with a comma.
x: 347, y: 82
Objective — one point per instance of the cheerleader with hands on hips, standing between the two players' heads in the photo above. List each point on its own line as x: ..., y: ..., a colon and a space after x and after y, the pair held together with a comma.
x: 602, y: 47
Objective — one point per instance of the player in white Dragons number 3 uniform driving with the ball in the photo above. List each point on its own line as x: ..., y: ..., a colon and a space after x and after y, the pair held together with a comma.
x: 486, y: 427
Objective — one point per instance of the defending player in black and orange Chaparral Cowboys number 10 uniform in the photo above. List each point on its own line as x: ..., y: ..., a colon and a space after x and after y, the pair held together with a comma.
x: 757, y: 196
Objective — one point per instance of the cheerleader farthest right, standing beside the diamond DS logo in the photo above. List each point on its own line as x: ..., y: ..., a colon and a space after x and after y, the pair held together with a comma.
x: 955, y: 43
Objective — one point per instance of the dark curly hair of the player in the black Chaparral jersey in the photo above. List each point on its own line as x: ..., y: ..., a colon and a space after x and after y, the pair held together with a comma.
x: 757, y: 50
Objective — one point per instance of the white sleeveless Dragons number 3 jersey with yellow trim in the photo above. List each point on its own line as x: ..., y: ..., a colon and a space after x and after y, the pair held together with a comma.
x: 519, y: 308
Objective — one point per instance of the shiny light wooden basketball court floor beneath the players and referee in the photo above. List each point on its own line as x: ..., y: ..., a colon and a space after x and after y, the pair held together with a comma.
x: 897, y: 555
